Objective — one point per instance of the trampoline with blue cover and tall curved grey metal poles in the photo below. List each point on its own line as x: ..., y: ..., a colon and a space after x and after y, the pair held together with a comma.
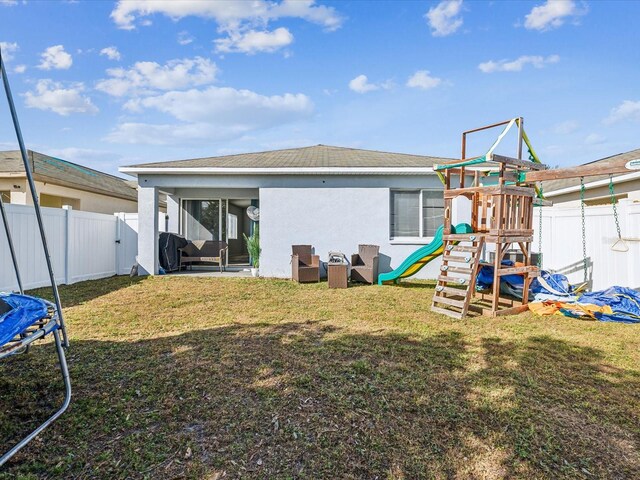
x: 23, y: 318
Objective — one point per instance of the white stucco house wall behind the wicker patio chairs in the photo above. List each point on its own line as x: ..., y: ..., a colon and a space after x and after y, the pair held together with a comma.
x: 329, y: 219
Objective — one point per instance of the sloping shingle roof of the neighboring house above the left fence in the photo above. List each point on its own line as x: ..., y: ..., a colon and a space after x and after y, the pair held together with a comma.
x: 61, y: 172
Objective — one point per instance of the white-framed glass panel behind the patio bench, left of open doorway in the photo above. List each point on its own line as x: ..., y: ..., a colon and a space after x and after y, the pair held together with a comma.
x: 204, y: 219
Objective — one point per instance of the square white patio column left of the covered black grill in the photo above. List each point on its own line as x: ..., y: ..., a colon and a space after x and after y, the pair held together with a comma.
x: 148, y: 208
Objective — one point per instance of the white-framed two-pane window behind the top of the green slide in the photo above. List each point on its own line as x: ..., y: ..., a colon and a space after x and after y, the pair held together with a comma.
x: 416, y: 213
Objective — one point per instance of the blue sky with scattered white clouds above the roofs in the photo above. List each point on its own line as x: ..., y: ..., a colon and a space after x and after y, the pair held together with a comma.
x: 113, y: 83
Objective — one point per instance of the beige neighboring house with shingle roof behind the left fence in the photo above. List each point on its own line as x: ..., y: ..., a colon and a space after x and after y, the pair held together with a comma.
x: 60, y: 182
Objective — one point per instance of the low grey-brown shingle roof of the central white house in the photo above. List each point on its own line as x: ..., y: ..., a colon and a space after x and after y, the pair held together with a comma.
x: 305, y: 159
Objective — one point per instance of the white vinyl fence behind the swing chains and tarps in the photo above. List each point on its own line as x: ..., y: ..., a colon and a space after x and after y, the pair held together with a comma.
x: 562, y: 243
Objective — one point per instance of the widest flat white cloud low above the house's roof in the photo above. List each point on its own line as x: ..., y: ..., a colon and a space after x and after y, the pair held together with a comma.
x: 211, y: 114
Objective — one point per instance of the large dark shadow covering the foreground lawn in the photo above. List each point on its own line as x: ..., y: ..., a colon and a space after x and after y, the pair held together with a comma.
x: 303, y: 400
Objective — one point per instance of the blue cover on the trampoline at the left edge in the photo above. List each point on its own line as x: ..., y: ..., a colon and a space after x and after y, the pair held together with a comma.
x: 17, y: 313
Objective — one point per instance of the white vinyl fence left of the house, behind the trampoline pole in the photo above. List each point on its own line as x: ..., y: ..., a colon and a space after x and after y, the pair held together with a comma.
x: 83, y: 246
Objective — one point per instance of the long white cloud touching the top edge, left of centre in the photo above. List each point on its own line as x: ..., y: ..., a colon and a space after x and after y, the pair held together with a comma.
x: 227, y: 14
